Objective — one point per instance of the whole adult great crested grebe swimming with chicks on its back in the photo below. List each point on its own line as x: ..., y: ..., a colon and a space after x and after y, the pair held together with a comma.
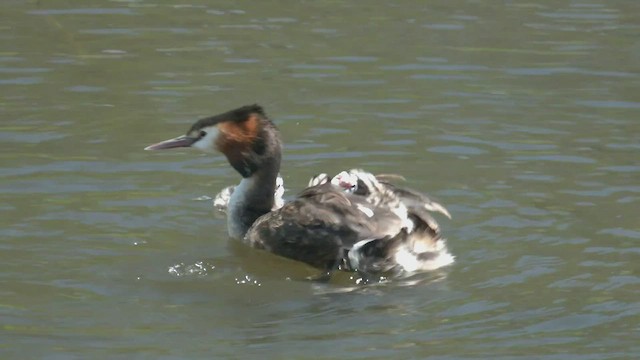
x: 353, y: 222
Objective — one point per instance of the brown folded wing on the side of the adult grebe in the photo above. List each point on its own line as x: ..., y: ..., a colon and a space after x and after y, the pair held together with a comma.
x: 320, y: 226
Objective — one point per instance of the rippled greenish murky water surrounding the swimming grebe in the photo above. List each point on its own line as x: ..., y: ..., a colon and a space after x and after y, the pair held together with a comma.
x: 523, y: 118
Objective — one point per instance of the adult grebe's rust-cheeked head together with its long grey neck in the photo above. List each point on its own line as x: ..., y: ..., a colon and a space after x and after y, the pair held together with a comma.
x: 251, y: 143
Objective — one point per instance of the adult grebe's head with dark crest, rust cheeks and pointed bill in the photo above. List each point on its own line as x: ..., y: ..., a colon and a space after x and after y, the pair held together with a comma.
x: 244, y: 135
